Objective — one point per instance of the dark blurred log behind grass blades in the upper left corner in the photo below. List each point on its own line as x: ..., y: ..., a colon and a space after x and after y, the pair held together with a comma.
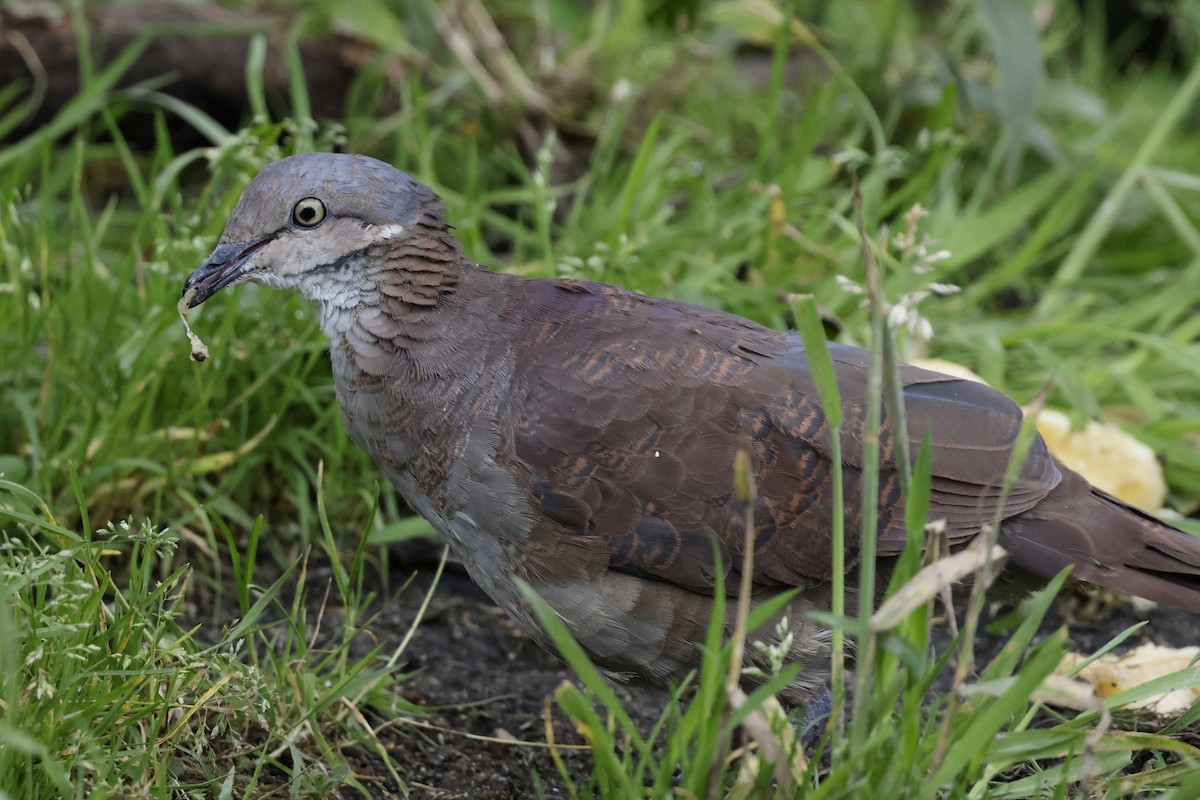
x: 201, y: 50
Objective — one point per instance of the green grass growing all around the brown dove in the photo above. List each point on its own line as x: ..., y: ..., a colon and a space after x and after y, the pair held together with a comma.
x: 1065, y: 191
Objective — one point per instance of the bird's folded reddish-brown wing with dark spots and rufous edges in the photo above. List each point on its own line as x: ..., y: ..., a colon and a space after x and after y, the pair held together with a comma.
x: 633, y: 407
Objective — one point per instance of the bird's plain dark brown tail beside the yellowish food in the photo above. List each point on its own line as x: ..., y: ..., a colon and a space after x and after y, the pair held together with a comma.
x: 1108, y: 543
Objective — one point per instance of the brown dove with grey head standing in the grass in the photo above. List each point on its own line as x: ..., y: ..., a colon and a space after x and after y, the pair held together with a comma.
x: 580, y: 437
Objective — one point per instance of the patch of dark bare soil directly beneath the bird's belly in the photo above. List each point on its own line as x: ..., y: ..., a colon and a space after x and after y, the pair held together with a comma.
x: 479, y: 675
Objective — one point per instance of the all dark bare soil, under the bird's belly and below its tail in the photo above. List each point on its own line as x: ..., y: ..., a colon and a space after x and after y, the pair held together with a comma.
x: 482, y: 677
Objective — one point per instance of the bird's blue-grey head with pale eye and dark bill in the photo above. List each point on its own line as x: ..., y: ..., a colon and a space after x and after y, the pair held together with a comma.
x: 304, y: 222
